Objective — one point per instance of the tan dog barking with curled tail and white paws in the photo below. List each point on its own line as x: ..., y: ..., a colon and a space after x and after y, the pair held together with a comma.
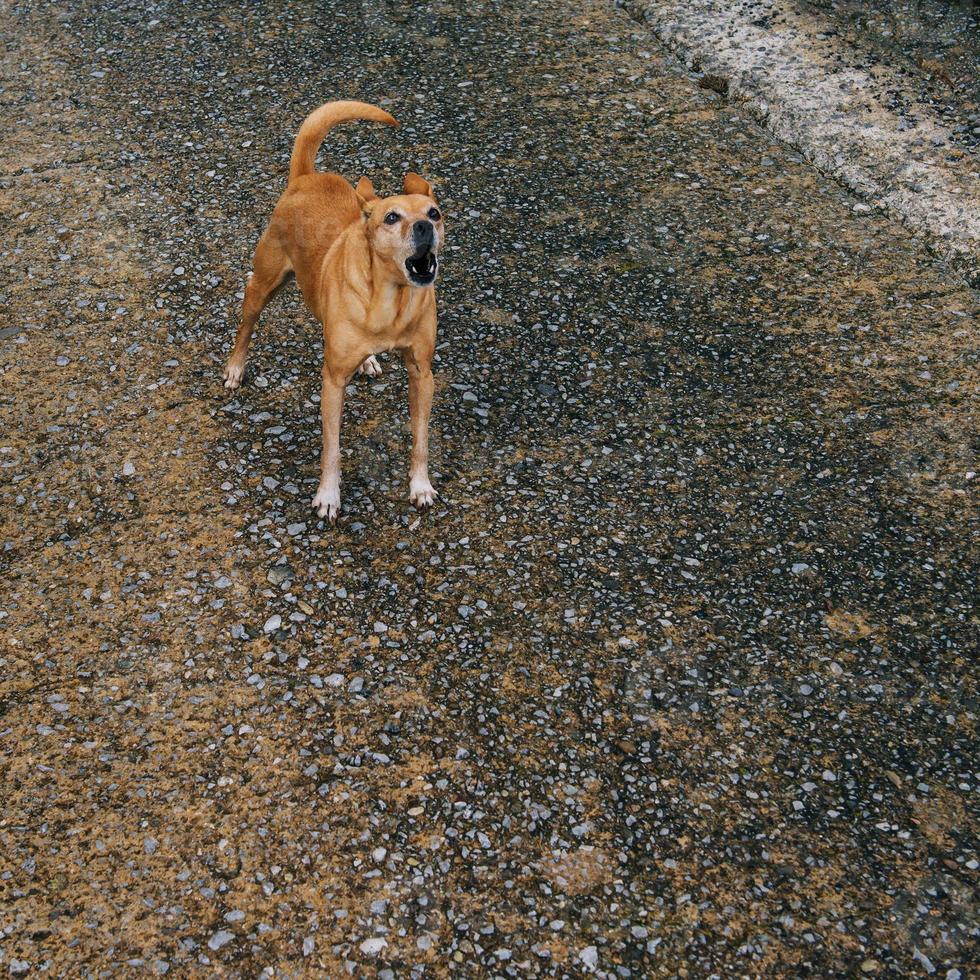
x: 366, y: 267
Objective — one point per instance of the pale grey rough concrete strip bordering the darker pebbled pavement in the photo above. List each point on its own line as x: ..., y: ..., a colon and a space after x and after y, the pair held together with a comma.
x: 835, y: 101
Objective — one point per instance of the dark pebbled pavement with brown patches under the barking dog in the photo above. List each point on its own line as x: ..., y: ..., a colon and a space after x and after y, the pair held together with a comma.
x: 678, y: 677
